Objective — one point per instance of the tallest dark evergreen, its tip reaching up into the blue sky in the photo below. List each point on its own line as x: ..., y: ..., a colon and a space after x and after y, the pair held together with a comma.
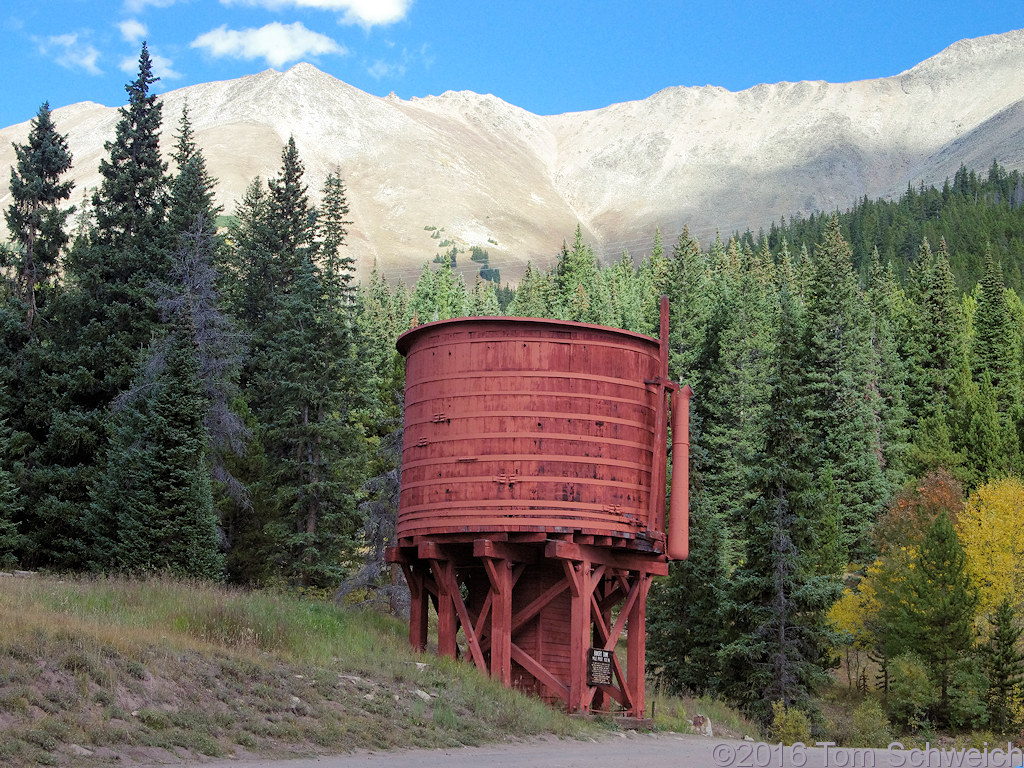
x: 101, y: 327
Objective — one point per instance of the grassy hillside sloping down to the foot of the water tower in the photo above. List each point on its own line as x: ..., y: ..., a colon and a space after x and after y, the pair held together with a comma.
x: 97, y: 672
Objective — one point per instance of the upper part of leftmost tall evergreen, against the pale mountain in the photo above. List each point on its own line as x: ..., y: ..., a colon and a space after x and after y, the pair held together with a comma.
x: 35, y: 218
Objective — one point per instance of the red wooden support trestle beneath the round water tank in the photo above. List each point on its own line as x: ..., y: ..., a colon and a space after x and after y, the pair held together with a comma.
x: 530, y: 613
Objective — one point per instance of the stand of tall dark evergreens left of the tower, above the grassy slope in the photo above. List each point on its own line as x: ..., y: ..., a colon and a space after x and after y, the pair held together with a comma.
x: 178, y: 399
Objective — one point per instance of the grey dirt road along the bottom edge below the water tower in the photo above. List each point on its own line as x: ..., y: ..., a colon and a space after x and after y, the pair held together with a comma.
x: 630, y: 750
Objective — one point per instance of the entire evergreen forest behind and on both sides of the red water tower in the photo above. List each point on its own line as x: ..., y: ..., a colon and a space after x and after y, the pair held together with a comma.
x: 226, y: 404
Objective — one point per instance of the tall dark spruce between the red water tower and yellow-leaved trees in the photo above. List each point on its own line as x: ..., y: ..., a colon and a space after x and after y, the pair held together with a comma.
x: 788, y: 578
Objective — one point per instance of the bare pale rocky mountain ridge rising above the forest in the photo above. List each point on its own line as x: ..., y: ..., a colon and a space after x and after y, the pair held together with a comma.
x: 518, y: 184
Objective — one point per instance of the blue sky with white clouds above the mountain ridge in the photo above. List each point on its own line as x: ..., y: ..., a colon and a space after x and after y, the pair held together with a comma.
x: 547, y: 57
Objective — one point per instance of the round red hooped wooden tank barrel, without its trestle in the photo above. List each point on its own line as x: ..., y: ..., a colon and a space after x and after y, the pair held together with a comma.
x: 518, y: 424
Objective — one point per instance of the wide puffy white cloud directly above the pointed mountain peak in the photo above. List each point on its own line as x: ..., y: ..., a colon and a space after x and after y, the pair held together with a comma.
x: 278, y: 44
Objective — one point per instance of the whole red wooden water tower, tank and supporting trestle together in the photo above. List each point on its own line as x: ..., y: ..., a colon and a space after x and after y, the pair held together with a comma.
x: 532, y: 513
